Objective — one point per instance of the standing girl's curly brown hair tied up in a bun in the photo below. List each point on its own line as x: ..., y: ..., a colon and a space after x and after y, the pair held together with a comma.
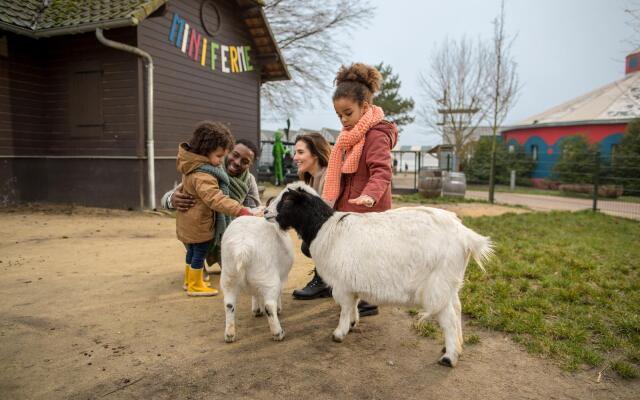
x: 358, y: 82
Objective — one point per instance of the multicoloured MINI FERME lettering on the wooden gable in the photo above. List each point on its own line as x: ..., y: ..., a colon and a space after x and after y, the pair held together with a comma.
x: 207, y: 52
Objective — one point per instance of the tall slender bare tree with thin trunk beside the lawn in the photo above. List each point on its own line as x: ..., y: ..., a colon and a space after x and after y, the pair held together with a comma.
x: 503, y: 86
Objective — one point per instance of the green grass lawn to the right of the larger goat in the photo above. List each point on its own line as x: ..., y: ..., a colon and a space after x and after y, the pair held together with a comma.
x: 565, y: 285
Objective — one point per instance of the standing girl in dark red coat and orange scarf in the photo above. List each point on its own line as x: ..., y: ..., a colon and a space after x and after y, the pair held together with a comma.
x: 358, y: 177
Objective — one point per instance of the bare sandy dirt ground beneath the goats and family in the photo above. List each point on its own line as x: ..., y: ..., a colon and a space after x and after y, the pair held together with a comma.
x: 92, y: 307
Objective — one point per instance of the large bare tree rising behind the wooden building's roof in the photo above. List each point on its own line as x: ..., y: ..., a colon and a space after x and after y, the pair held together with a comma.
x: 313, y: 37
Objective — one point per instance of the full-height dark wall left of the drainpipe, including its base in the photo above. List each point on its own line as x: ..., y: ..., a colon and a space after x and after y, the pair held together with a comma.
x: 69, y: 114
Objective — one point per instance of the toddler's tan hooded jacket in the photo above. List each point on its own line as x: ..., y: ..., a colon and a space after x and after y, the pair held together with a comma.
x: 196, y: 225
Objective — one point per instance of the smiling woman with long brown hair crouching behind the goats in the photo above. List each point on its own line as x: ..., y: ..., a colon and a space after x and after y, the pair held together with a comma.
x: 312, y: 153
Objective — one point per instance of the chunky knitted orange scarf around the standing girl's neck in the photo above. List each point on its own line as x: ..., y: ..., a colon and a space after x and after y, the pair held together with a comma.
x: 346, y: 153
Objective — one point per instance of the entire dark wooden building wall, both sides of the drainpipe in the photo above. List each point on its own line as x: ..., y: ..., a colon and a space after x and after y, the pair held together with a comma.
x: 72, y: 110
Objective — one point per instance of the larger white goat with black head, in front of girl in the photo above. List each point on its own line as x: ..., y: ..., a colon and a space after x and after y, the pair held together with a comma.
x: 407, y: 256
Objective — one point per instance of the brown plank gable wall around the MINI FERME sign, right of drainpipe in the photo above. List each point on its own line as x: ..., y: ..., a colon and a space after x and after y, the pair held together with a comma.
x: 187, y: 92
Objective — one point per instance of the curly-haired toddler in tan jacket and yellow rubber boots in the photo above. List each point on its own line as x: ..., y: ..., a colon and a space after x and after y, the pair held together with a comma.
x: 202, y: 178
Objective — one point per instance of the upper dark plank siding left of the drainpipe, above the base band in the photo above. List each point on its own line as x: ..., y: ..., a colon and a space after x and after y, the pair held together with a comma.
x: 46, y: 106
